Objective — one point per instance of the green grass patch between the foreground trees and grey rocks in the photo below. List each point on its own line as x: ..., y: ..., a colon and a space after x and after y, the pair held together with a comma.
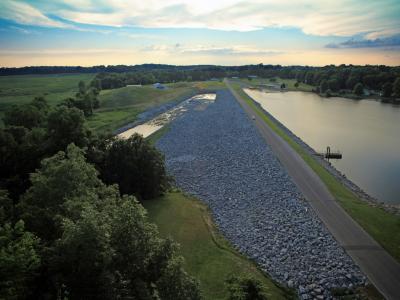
x: 208, y: 256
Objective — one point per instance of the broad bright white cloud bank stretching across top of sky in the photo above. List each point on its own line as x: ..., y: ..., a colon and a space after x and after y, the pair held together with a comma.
x: 371, y: 19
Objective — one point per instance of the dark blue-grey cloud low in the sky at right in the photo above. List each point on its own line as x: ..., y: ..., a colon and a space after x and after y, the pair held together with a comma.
x: 364, y: 43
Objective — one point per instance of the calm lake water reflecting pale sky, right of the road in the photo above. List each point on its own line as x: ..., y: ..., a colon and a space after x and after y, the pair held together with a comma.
x: 366, y: 132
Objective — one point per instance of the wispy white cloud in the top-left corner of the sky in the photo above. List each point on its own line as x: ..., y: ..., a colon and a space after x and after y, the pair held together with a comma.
x: 26, y: 14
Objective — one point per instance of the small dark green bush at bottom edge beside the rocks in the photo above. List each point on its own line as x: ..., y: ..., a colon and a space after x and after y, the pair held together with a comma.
x: 245, y: 288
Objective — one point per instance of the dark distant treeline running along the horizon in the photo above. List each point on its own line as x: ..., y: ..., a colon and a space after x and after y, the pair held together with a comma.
x: 328, y: 79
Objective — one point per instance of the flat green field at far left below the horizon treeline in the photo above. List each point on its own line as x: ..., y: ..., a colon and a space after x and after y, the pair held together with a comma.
x: 15, y: 90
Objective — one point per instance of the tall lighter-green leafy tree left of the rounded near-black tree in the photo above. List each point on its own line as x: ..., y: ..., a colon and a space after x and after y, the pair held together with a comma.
x: 61, y: 177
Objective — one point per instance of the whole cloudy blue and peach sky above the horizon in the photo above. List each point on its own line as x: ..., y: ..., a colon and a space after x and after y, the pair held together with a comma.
x: 182, y: 32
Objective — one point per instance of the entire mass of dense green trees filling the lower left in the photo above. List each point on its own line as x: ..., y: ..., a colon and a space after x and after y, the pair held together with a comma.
x: 71, y: 222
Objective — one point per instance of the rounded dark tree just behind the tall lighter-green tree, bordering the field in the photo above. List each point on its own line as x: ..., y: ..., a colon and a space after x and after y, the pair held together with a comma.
x: 65, y: 126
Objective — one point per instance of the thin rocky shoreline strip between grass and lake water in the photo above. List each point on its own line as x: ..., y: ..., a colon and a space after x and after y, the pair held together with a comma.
x: 363, y: 195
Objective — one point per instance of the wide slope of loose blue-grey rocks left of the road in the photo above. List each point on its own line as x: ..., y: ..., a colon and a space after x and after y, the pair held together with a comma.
x: 217, y: 155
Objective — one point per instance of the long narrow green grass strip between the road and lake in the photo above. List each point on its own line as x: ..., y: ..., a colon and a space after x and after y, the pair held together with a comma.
x: 382, y: 226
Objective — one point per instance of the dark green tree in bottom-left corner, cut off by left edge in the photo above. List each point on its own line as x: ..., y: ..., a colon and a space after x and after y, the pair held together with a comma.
x: 19, y: 260
